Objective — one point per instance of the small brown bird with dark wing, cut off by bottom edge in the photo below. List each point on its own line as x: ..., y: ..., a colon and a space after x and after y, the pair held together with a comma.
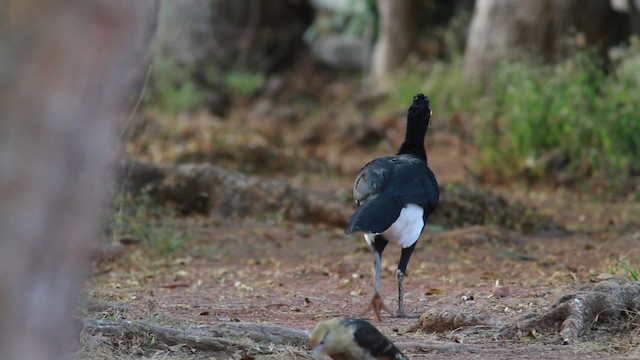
x: 352, y: 339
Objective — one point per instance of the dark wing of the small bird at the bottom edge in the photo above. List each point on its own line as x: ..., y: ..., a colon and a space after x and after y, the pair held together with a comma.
x: 369, y: 338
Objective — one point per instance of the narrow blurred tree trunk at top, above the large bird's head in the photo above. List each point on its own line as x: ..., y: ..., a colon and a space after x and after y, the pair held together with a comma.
x: 397, y: 33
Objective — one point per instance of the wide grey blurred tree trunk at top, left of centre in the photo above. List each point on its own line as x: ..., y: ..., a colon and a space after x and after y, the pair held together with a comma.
x: 245, y: 35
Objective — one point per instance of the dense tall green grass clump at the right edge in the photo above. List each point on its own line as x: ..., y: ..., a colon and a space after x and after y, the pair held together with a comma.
x: 573, y: 112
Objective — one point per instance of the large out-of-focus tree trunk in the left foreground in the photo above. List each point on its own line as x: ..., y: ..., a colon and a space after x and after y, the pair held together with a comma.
x: 64, y: 75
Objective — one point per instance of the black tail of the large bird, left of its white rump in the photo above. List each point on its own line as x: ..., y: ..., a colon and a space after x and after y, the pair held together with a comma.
x: 375, y: 215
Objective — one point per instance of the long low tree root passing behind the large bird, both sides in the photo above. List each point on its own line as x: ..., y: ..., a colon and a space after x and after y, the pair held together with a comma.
x: 206, y: 188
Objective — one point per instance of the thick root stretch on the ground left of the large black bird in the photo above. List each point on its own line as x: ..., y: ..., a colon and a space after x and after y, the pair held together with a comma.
x: 206, y: 188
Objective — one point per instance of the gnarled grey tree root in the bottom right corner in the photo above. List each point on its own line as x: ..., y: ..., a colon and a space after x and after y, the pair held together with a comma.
x: 574, y: 314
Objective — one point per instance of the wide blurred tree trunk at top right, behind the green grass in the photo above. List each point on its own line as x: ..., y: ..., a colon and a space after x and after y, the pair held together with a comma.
x: 536, y: 28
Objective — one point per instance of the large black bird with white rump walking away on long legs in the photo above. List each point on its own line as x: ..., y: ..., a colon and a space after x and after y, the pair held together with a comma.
x: 395, y: 196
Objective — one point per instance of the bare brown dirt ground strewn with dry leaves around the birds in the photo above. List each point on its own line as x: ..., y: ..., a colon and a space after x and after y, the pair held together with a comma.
x: 269, y: 270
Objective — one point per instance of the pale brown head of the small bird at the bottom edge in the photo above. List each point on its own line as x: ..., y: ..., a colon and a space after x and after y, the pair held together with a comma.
x: 330, y: 337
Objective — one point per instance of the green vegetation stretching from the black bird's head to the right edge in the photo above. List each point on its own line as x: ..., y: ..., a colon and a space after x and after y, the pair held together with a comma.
x: 574, y: 118
